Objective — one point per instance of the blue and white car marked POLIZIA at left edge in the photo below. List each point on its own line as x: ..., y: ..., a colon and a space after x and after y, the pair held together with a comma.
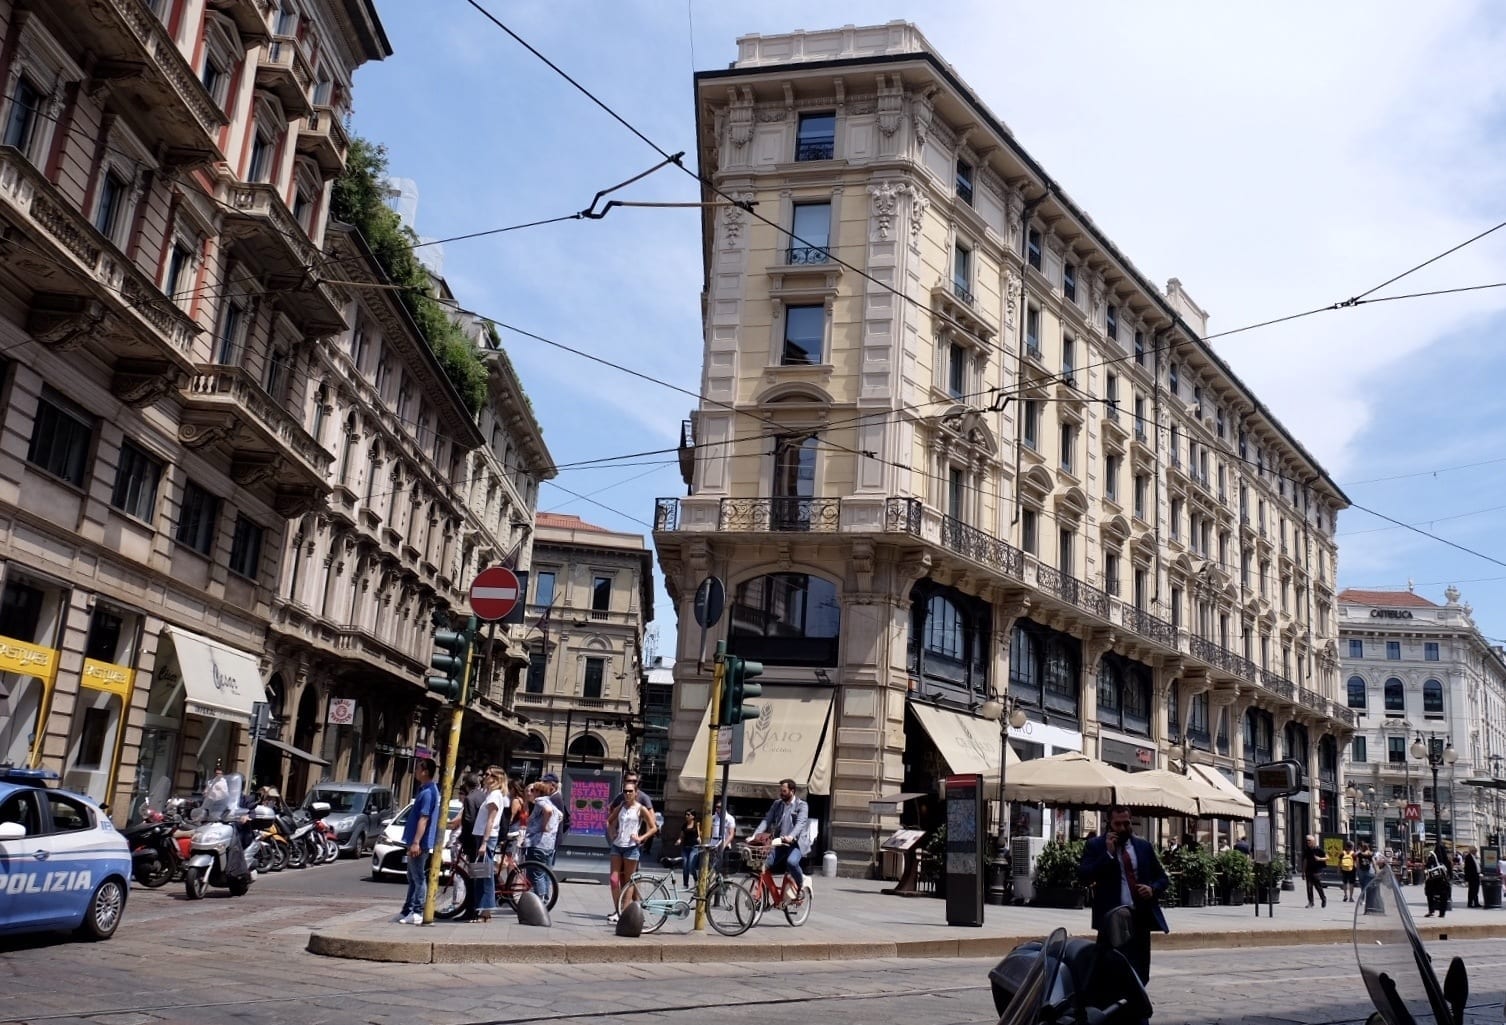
x: 62, y: 862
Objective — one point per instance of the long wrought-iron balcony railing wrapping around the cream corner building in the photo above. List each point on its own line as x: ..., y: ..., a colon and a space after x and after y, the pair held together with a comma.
x: 862, y: 516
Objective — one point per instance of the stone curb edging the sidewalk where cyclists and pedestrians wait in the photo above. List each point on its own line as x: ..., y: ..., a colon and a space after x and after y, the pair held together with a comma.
x: 697, y: 950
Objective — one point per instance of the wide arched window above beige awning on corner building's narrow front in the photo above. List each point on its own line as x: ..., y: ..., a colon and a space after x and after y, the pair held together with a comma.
x: 787, y: 619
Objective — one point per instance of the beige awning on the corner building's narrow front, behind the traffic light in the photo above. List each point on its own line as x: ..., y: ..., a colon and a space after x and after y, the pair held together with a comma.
x: 790, y: 740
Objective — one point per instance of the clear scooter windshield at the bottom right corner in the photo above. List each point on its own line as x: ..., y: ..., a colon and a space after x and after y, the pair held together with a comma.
x: 1394, y: 964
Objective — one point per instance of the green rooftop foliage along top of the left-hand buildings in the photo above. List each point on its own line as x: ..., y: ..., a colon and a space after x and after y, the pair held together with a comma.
x: 361, y: 201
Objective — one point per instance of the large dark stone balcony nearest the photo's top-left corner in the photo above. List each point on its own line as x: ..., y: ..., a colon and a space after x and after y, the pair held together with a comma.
x: 135, y: 53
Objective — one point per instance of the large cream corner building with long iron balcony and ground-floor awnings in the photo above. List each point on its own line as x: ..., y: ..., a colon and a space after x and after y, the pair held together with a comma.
x: 954, y: 445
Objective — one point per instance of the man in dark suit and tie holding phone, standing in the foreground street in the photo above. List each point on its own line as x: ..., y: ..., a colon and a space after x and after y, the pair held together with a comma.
x: 1126, y: 874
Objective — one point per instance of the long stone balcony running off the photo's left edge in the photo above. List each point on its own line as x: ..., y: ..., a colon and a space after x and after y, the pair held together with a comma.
x: 31, y: 202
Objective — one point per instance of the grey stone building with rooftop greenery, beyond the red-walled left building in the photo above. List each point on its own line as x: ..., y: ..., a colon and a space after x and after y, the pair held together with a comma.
x: 422, y: 496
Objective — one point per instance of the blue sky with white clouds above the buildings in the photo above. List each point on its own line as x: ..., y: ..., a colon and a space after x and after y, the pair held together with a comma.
x: 1275, y: 157
